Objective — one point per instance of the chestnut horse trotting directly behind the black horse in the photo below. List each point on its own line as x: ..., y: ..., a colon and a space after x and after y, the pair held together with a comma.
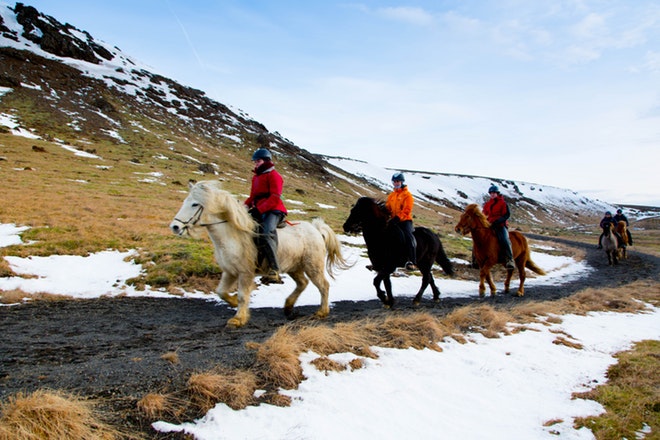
x: 487, y: 250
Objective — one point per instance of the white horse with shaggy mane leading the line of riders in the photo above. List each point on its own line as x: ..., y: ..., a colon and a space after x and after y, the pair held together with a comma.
x: 301, y: 252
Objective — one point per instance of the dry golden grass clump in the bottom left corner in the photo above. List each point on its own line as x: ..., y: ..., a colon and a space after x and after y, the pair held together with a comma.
x: 52, y: 415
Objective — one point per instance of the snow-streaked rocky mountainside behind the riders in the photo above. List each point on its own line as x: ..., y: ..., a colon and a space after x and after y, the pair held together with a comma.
x: 59, y: 84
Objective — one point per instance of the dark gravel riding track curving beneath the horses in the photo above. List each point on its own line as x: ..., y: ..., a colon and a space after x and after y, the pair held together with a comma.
x: 111, y: 348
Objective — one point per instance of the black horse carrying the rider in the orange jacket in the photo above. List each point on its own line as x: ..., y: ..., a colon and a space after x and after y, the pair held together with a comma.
x: 387, y: 251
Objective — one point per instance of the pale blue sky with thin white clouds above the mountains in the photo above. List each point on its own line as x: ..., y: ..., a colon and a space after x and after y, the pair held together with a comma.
x: 555, y: 92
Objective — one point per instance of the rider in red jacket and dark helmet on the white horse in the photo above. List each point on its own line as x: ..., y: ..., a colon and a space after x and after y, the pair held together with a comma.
x: 266, y: 206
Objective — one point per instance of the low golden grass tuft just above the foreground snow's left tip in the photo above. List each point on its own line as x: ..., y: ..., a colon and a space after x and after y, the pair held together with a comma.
x: 235, y: 388
